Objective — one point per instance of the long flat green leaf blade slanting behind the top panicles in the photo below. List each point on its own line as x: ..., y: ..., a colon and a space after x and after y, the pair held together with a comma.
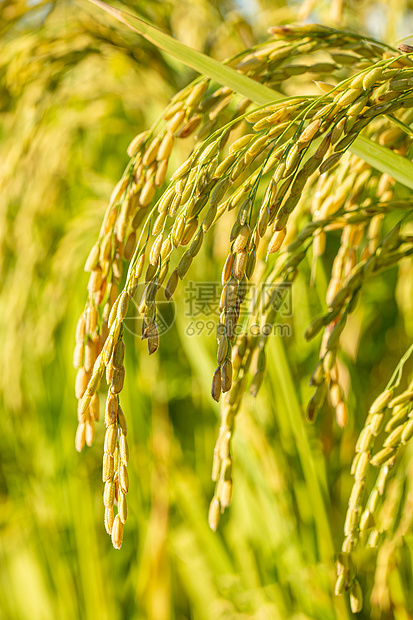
x: 380, y: 157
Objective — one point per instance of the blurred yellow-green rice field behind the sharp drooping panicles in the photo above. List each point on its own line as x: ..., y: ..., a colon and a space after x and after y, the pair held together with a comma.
x: 74, y: 90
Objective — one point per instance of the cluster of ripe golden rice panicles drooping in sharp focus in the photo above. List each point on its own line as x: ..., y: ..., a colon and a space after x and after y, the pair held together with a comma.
x: 256, y: 166
